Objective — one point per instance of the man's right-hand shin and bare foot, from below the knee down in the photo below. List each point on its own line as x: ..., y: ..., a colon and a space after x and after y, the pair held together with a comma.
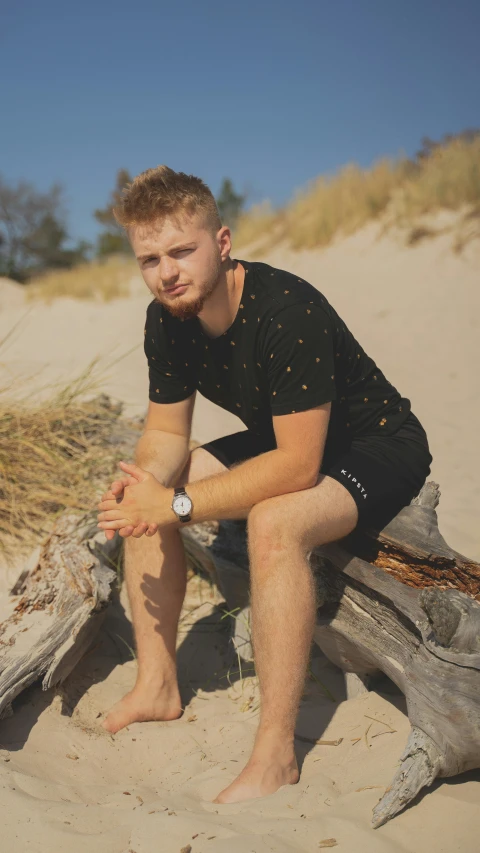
x: 283, y: 613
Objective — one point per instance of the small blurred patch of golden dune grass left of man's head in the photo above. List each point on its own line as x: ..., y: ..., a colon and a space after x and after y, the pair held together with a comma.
x: 101, y: 281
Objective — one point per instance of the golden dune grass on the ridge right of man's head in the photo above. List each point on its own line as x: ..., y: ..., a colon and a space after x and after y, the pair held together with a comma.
x: 342, y: 203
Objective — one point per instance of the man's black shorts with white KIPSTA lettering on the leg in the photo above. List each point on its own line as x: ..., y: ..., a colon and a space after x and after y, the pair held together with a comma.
x: 382, y: 473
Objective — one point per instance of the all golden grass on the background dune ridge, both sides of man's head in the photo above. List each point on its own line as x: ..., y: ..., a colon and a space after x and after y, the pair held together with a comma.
x: 401, y: 191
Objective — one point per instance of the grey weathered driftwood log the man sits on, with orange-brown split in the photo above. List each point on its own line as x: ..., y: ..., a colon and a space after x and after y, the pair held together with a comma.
x: 399, y: 602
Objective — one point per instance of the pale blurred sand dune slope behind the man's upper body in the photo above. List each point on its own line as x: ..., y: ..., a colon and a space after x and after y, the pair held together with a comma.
x: 415, y: 311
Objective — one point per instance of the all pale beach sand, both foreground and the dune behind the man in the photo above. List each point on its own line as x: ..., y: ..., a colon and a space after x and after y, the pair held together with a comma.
x: 66, y: 784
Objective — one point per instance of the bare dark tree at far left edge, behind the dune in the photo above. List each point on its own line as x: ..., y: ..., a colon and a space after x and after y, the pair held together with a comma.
x: 32, y: 233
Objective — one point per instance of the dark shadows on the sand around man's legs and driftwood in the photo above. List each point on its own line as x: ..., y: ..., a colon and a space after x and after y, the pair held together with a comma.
x: 206, y: 661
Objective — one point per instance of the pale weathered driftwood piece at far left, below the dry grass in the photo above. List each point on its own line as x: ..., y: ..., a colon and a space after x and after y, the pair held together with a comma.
x: 57, y: 607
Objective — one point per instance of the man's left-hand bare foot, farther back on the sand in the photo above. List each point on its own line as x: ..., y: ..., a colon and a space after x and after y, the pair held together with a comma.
x: 143, y: 705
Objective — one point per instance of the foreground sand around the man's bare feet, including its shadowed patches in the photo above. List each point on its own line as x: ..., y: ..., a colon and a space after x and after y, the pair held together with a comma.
x: 65, y: 784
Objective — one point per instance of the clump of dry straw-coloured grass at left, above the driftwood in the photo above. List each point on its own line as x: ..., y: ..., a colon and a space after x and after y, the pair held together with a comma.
x: 53, y: 456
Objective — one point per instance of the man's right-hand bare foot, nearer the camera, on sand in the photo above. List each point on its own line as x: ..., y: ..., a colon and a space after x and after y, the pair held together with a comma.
x: 262, y: 776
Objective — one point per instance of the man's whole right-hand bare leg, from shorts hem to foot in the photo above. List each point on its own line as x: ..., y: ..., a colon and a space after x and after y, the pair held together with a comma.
x: 283, y: 618
